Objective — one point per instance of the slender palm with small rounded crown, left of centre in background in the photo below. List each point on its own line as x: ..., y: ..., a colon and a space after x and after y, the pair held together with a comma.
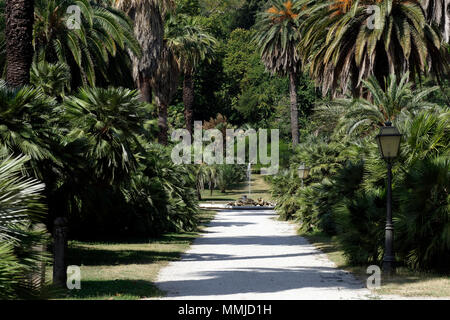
x: 191, y: 44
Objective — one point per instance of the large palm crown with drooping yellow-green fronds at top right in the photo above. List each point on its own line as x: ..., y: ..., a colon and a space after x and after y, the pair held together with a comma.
x: 342, y: 45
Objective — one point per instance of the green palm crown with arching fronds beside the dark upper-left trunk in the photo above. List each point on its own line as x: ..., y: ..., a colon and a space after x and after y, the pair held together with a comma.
x: 103, y: 33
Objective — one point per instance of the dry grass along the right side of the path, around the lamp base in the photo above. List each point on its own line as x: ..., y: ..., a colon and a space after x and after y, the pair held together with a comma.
x: 405, y: 283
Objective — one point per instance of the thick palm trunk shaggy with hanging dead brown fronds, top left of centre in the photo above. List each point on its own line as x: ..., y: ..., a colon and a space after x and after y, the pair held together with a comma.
x: 149, y: 31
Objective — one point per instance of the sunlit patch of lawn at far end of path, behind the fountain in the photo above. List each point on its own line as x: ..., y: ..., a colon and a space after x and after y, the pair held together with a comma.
x: 259, y: 189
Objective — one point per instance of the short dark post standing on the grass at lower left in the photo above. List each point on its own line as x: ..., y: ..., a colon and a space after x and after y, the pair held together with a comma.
x: 59, y: 251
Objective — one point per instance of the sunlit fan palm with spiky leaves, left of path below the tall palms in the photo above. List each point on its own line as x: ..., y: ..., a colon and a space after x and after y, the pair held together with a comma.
x: 110, y: 119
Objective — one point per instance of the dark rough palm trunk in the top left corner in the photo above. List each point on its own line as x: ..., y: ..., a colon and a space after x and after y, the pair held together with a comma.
x: 19, y: 36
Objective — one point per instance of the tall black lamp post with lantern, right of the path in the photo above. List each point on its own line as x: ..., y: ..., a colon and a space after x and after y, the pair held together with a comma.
x: 389, y: 144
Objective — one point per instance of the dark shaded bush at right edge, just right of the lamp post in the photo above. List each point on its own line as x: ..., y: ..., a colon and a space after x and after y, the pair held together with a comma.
x: 423, y: 222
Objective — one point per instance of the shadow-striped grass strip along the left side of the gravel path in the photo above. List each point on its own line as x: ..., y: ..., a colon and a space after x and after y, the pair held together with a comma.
x: 125, y: 270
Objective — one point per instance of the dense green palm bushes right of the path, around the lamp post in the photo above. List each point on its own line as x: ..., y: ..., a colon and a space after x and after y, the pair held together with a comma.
x: 345, y: 194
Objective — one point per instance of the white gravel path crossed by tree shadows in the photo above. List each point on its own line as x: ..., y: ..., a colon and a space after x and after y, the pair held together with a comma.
x: 247, y: 254
